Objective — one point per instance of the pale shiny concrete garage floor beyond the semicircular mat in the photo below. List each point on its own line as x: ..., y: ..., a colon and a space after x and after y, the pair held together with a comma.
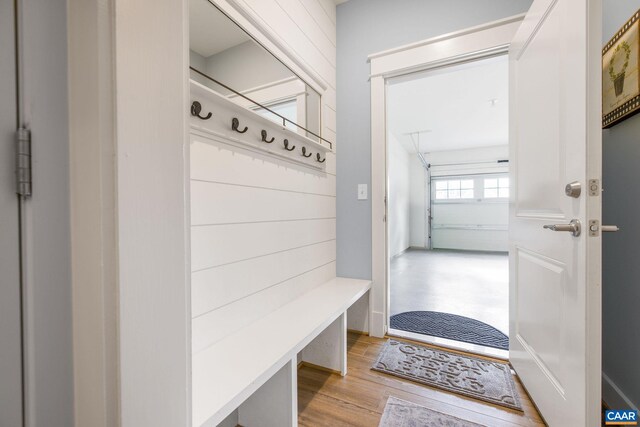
x: 471, y: 284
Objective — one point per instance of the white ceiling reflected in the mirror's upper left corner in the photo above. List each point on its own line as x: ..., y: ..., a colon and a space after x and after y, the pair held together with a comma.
x: 210, y: 31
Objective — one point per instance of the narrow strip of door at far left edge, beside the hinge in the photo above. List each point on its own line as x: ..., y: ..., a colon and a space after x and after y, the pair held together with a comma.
x: 10, y: 325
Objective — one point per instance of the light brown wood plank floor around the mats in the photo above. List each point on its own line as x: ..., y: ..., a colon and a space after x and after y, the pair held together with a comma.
x: 358, y: 399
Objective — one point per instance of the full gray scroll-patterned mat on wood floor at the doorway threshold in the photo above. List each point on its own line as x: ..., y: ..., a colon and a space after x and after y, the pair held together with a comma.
x: 470, y: 376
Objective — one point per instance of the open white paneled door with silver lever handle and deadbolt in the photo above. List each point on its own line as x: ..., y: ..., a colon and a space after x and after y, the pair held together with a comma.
x: 555, y: 281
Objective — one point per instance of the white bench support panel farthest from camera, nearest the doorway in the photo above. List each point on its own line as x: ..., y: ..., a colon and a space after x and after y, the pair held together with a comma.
x: 329, y: 349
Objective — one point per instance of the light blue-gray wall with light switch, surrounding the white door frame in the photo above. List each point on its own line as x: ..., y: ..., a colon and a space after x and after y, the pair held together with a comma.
x: 365, y: 27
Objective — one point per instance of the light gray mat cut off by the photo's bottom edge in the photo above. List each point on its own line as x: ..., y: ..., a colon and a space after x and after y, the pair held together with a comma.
x: 400, y: 413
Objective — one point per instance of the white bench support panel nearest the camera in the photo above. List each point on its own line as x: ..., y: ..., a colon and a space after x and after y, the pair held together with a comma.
x: 275, y: 404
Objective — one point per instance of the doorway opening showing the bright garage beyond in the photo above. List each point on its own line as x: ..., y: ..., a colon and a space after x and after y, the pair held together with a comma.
x: 448, y: 206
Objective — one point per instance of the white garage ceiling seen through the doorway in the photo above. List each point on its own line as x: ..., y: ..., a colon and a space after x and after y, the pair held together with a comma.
x: 459, y: 107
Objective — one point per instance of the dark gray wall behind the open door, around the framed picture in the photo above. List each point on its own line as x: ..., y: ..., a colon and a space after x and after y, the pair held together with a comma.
x: 621, y: 270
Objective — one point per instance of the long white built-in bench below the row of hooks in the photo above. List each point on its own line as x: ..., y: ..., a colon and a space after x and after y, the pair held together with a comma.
x: 254, y: 369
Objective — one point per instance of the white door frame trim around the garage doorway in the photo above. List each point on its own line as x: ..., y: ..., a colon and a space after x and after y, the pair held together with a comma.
x: 474, y: 43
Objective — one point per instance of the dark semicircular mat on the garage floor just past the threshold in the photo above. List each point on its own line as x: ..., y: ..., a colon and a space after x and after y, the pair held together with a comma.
x: 450, y: 326
